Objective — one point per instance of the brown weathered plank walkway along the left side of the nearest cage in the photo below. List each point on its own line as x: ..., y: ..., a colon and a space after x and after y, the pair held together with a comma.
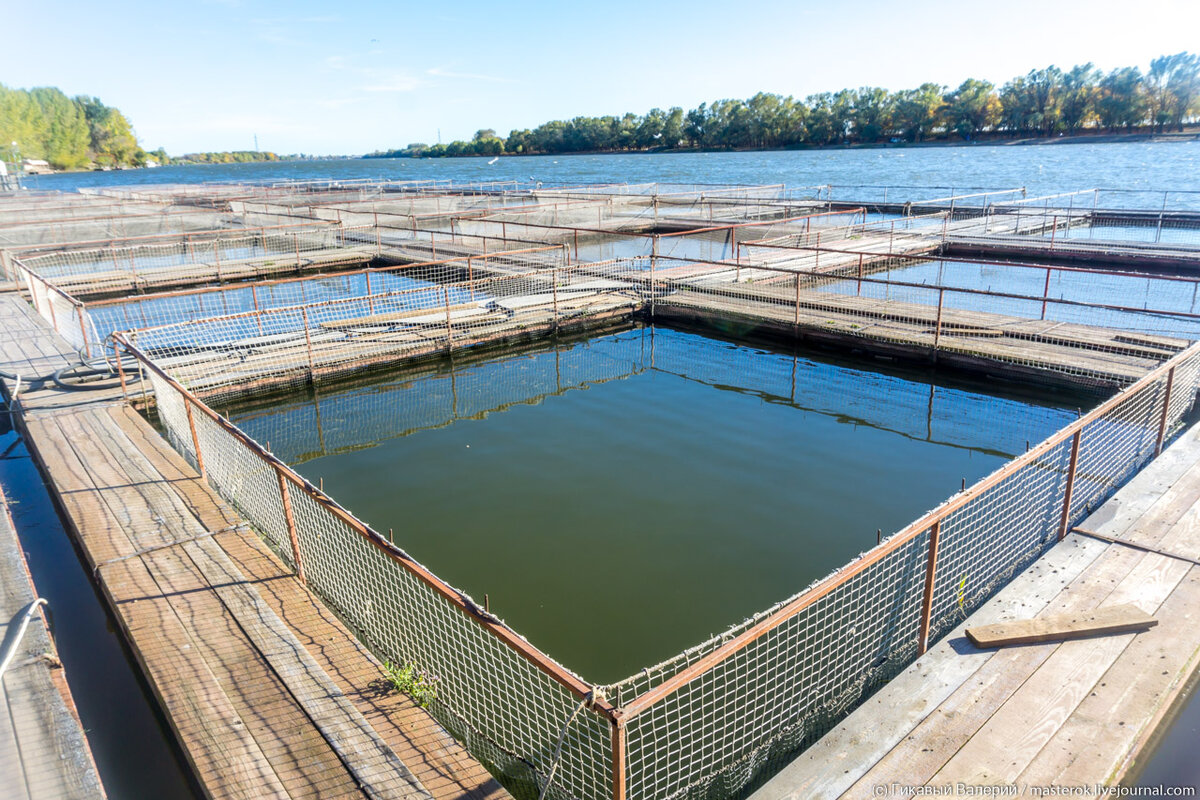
x: 267, y: 691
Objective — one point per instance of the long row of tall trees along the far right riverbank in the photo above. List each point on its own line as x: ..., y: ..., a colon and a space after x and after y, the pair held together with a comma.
x: 1041, y: 104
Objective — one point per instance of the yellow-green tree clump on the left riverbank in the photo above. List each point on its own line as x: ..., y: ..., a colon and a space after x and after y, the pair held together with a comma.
x: 69, y: 133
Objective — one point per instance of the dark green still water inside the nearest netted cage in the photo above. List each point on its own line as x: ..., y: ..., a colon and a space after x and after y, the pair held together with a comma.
x: 625, y: 497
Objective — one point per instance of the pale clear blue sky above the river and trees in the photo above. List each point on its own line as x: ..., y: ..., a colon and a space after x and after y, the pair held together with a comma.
x: 352, y: 77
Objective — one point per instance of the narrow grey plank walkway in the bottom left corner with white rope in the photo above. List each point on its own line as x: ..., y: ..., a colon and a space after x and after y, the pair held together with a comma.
x: 44, y: 753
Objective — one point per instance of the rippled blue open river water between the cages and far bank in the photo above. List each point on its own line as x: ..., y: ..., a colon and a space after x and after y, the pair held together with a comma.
x: 1040, y: 169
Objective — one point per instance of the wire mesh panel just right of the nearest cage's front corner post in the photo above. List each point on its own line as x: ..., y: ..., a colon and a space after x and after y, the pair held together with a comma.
x: 783, y: 690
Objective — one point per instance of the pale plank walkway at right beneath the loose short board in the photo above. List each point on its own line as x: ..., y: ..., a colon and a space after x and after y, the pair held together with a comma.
x: 1070, y: 714
